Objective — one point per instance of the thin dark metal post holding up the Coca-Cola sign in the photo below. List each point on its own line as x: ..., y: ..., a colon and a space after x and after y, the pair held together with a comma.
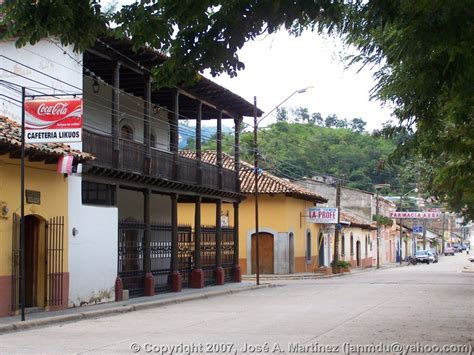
x: 22, y: 208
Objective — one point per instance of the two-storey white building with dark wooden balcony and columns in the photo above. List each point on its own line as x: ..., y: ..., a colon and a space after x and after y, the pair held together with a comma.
x: 123, y: 205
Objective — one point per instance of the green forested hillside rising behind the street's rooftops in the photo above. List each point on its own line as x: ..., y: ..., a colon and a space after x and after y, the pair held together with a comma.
x: 301, y: 144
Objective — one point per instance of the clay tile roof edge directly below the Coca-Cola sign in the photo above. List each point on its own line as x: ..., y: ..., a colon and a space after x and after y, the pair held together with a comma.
x: 10, y: 140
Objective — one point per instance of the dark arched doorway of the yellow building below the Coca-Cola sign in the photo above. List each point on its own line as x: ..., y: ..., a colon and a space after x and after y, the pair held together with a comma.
x: 32, y: 227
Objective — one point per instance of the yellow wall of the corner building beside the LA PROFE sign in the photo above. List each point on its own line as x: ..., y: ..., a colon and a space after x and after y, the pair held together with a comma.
x: 278, y: 213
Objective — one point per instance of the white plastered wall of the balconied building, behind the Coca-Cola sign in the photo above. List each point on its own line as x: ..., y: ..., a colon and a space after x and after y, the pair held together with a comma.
x: 92, y: 252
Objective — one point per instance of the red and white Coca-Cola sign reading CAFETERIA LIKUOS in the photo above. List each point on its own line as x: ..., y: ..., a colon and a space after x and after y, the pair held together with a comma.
x: 53, y: 121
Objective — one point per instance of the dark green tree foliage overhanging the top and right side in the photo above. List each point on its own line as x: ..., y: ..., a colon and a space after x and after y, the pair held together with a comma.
x: 424, y: 50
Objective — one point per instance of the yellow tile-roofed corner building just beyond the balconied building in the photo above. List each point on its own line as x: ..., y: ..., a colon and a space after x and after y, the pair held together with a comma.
x: 288, y: 243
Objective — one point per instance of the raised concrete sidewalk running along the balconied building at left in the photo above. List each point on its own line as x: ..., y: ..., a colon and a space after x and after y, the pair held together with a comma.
x: 37, y: 319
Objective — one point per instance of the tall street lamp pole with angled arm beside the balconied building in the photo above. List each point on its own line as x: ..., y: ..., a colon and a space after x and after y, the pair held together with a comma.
x: 256, y: 169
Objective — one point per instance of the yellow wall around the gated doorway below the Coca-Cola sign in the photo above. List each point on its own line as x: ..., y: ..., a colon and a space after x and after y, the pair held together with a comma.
x: 54, y: 202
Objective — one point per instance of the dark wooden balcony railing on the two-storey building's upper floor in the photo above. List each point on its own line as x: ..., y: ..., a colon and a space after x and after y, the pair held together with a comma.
x: 131, y: 158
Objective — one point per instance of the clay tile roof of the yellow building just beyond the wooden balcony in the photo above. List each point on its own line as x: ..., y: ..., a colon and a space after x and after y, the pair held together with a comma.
x: 267, y: 183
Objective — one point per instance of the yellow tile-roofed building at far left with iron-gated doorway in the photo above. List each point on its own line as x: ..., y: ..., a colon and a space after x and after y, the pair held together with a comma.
x: 46, y: 251
